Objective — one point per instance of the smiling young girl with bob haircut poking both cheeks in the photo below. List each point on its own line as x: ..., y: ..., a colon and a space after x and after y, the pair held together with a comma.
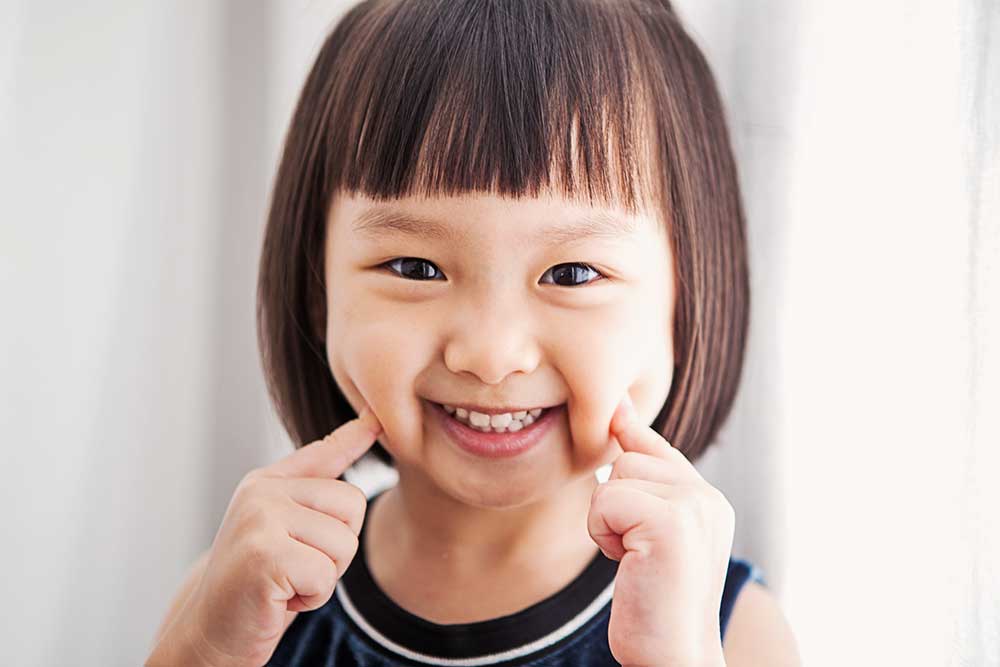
x: 505, y: 248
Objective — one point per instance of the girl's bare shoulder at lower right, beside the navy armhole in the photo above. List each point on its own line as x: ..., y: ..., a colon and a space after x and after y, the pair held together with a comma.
x: 758, y: 633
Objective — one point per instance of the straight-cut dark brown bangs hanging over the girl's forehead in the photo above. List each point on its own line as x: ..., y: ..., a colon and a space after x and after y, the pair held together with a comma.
x: 508, y: 97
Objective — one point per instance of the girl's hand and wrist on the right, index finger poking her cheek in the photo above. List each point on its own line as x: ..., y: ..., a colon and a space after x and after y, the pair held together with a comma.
x: 672, y: 533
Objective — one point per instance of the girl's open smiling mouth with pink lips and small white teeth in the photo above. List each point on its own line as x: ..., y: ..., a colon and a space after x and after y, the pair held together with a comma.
x: 495, y: 436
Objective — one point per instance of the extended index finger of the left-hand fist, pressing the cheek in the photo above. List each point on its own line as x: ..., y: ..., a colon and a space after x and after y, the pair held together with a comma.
x: 332, y: 455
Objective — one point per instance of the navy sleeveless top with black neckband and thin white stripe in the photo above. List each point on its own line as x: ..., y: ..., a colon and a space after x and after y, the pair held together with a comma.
x: 360, y: 626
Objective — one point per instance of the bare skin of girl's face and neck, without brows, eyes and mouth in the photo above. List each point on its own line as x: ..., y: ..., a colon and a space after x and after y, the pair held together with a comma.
x: 394, y: 340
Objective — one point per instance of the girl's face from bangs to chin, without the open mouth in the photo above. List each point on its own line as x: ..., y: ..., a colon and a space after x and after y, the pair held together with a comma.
x: 499, y: 302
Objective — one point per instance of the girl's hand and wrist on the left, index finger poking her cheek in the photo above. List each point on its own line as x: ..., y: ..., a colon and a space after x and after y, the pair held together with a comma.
x: 289, y: 533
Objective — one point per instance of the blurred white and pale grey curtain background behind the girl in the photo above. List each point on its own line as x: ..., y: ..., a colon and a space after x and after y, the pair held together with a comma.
x: 138, y: 141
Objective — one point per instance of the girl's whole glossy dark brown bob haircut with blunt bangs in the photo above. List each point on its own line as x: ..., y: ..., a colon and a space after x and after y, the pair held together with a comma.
x: 601, y: 101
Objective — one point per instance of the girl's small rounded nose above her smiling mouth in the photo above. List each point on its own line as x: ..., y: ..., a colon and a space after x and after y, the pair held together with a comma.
x: 492, y: 339
